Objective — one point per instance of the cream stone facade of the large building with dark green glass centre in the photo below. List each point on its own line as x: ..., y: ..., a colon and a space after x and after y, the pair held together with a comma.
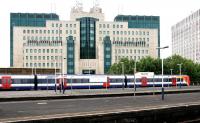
x: 86, y: 44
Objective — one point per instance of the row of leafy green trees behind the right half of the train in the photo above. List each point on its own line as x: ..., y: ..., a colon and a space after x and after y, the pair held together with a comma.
x: 149, y: 64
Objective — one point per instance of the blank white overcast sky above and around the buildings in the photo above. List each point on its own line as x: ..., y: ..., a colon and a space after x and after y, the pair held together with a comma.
x: 170, y: 12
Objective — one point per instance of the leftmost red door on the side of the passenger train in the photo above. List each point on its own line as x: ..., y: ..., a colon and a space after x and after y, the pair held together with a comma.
x: 6, y: 82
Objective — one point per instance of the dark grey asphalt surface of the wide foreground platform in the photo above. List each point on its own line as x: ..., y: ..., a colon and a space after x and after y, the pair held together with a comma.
x: 26, y: 110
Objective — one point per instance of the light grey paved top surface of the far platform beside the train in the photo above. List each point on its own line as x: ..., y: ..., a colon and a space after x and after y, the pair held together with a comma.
x: 78, y: 92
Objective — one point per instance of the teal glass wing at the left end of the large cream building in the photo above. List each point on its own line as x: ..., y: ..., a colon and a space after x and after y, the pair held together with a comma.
x: 30, y: 20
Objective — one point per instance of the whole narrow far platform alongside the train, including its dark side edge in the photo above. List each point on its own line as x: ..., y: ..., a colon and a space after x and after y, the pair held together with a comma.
x: 90, y: 93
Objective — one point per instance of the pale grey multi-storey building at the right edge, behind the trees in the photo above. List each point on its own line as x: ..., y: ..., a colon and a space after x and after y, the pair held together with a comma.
x: 186, y: 37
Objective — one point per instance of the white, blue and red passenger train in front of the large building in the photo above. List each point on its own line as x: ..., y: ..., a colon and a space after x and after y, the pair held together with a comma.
x: 144, y: 79
